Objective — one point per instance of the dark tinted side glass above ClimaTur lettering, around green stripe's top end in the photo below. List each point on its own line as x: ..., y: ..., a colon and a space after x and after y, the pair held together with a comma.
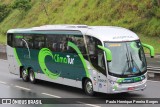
x: 58, y: 43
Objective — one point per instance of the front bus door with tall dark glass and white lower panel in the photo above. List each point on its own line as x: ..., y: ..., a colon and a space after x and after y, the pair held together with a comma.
x: 97, y: 60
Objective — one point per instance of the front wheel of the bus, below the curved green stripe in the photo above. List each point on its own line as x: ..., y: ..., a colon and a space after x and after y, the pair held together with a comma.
x: 88, y: 87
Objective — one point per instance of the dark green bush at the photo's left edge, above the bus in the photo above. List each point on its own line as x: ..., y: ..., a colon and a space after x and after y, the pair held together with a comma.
x: 4, y: 11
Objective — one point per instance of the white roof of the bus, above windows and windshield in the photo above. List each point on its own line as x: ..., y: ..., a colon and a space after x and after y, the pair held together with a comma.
x: 104, y: 33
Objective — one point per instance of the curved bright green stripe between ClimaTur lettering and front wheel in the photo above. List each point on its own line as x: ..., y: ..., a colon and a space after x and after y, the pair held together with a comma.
x: 81, y: 57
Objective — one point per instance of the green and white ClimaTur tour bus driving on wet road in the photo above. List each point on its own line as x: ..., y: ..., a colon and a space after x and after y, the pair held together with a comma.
x: 104, y: 59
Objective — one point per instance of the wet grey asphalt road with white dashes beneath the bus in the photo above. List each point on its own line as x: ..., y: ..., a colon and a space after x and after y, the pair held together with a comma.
x: 11, y: 86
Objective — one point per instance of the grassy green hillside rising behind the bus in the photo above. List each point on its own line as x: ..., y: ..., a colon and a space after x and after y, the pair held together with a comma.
x: 140, y: 16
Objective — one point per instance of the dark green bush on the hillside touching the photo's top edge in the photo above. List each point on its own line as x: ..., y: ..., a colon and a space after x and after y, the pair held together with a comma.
x: 22, y: 5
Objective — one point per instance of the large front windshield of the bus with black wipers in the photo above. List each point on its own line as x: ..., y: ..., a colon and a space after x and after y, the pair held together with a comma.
x: 128, y: 59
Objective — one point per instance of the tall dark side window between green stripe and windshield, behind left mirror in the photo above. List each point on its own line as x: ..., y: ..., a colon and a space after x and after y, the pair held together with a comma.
x: 96, y: 55
